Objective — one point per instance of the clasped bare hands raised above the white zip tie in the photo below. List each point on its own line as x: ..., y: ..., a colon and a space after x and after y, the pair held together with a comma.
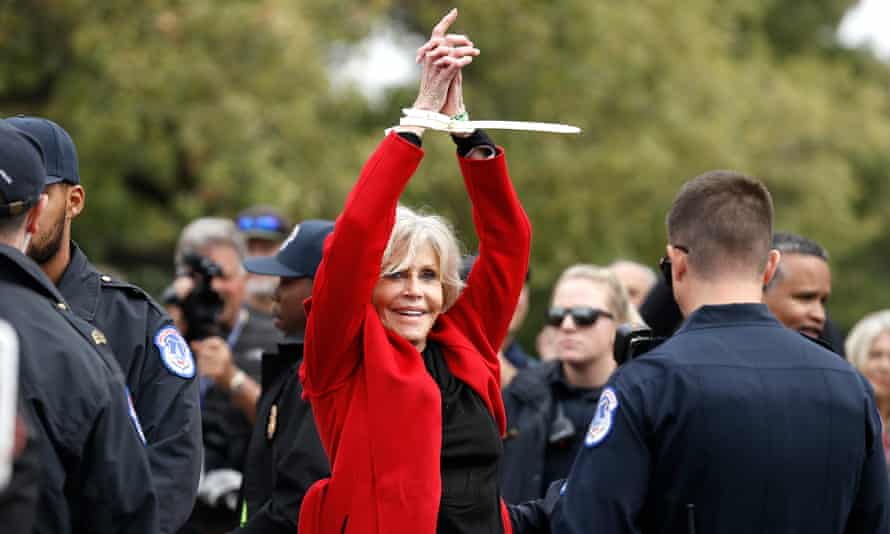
x: 442, y: 57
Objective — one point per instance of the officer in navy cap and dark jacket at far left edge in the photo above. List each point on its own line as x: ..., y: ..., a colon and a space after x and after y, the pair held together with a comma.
x: 96, y: 476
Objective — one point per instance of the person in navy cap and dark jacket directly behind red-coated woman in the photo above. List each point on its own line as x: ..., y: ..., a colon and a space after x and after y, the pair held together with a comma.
x: 284, y: 456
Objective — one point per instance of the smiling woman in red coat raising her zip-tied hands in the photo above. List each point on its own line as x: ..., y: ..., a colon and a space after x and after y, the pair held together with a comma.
x: 400, y: 364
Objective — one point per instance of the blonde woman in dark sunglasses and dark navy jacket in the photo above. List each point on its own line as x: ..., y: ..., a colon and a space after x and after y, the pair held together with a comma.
x: 550, y: 406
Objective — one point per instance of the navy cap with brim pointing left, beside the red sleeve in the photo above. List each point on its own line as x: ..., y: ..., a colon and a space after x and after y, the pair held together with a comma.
x: 298, y: 256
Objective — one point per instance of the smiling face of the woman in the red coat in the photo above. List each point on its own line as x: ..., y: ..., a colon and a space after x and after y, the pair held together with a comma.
x: 409, y: 301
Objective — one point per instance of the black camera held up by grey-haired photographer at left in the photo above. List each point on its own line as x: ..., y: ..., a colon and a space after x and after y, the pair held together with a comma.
x: 202, y: 306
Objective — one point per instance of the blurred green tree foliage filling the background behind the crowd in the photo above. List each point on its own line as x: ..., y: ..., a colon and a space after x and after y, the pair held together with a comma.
x: 183, y: 109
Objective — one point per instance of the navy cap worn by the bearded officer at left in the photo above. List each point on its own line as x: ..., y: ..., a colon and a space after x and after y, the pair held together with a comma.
x: 59, y: 153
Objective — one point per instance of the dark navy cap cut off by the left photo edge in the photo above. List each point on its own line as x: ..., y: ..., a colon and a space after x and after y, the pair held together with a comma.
x: 21, y: 171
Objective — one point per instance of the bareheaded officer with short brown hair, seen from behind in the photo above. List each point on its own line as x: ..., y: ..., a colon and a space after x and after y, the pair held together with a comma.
x: 734, y: 424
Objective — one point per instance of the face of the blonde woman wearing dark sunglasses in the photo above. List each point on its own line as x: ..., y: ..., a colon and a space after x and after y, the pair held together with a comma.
x: 583, y: 344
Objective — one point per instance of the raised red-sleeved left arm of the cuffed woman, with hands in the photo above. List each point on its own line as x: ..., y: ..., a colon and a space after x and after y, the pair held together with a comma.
x: 354, y: 251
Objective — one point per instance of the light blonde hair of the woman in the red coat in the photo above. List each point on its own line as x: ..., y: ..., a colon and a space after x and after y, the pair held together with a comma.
x: 411, y: 231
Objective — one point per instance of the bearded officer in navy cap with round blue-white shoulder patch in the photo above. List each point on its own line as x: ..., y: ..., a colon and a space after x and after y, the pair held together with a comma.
x: 156, y: 361
